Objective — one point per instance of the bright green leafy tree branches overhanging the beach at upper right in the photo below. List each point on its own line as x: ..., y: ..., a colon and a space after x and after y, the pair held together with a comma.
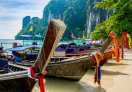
x: 120, y: 20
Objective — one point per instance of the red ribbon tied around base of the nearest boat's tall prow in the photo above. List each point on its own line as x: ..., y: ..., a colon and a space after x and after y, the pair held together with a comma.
x: 40, y: 77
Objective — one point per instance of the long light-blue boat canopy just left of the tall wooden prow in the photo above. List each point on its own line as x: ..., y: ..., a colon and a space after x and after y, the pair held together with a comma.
x: 24, y: 48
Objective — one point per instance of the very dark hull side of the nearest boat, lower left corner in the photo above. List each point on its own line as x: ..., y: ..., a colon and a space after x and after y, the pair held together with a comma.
x: 16, y: 85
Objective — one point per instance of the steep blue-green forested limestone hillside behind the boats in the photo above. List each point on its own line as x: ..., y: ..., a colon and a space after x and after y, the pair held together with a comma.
x: 80, y: 17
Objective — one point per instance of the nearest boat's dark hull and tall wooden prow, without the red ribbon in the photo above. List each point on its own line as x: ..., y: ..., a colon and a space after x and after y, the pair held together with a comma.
x: 55, y: 31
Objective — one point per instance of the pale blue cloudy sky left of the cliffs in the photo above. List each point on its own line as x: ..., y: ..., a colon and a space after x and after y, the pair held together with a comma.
x: 12, y: 13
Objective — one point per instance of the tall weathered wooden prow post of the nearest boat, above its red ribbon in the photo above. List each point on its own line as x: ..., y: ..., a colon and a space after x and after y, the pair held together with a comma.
x: 55, y: 32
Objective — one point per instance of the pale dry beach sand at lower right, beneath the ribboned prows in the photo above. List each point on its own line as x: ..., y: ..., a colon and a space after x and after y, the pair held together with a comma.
x: 116, y: 77
